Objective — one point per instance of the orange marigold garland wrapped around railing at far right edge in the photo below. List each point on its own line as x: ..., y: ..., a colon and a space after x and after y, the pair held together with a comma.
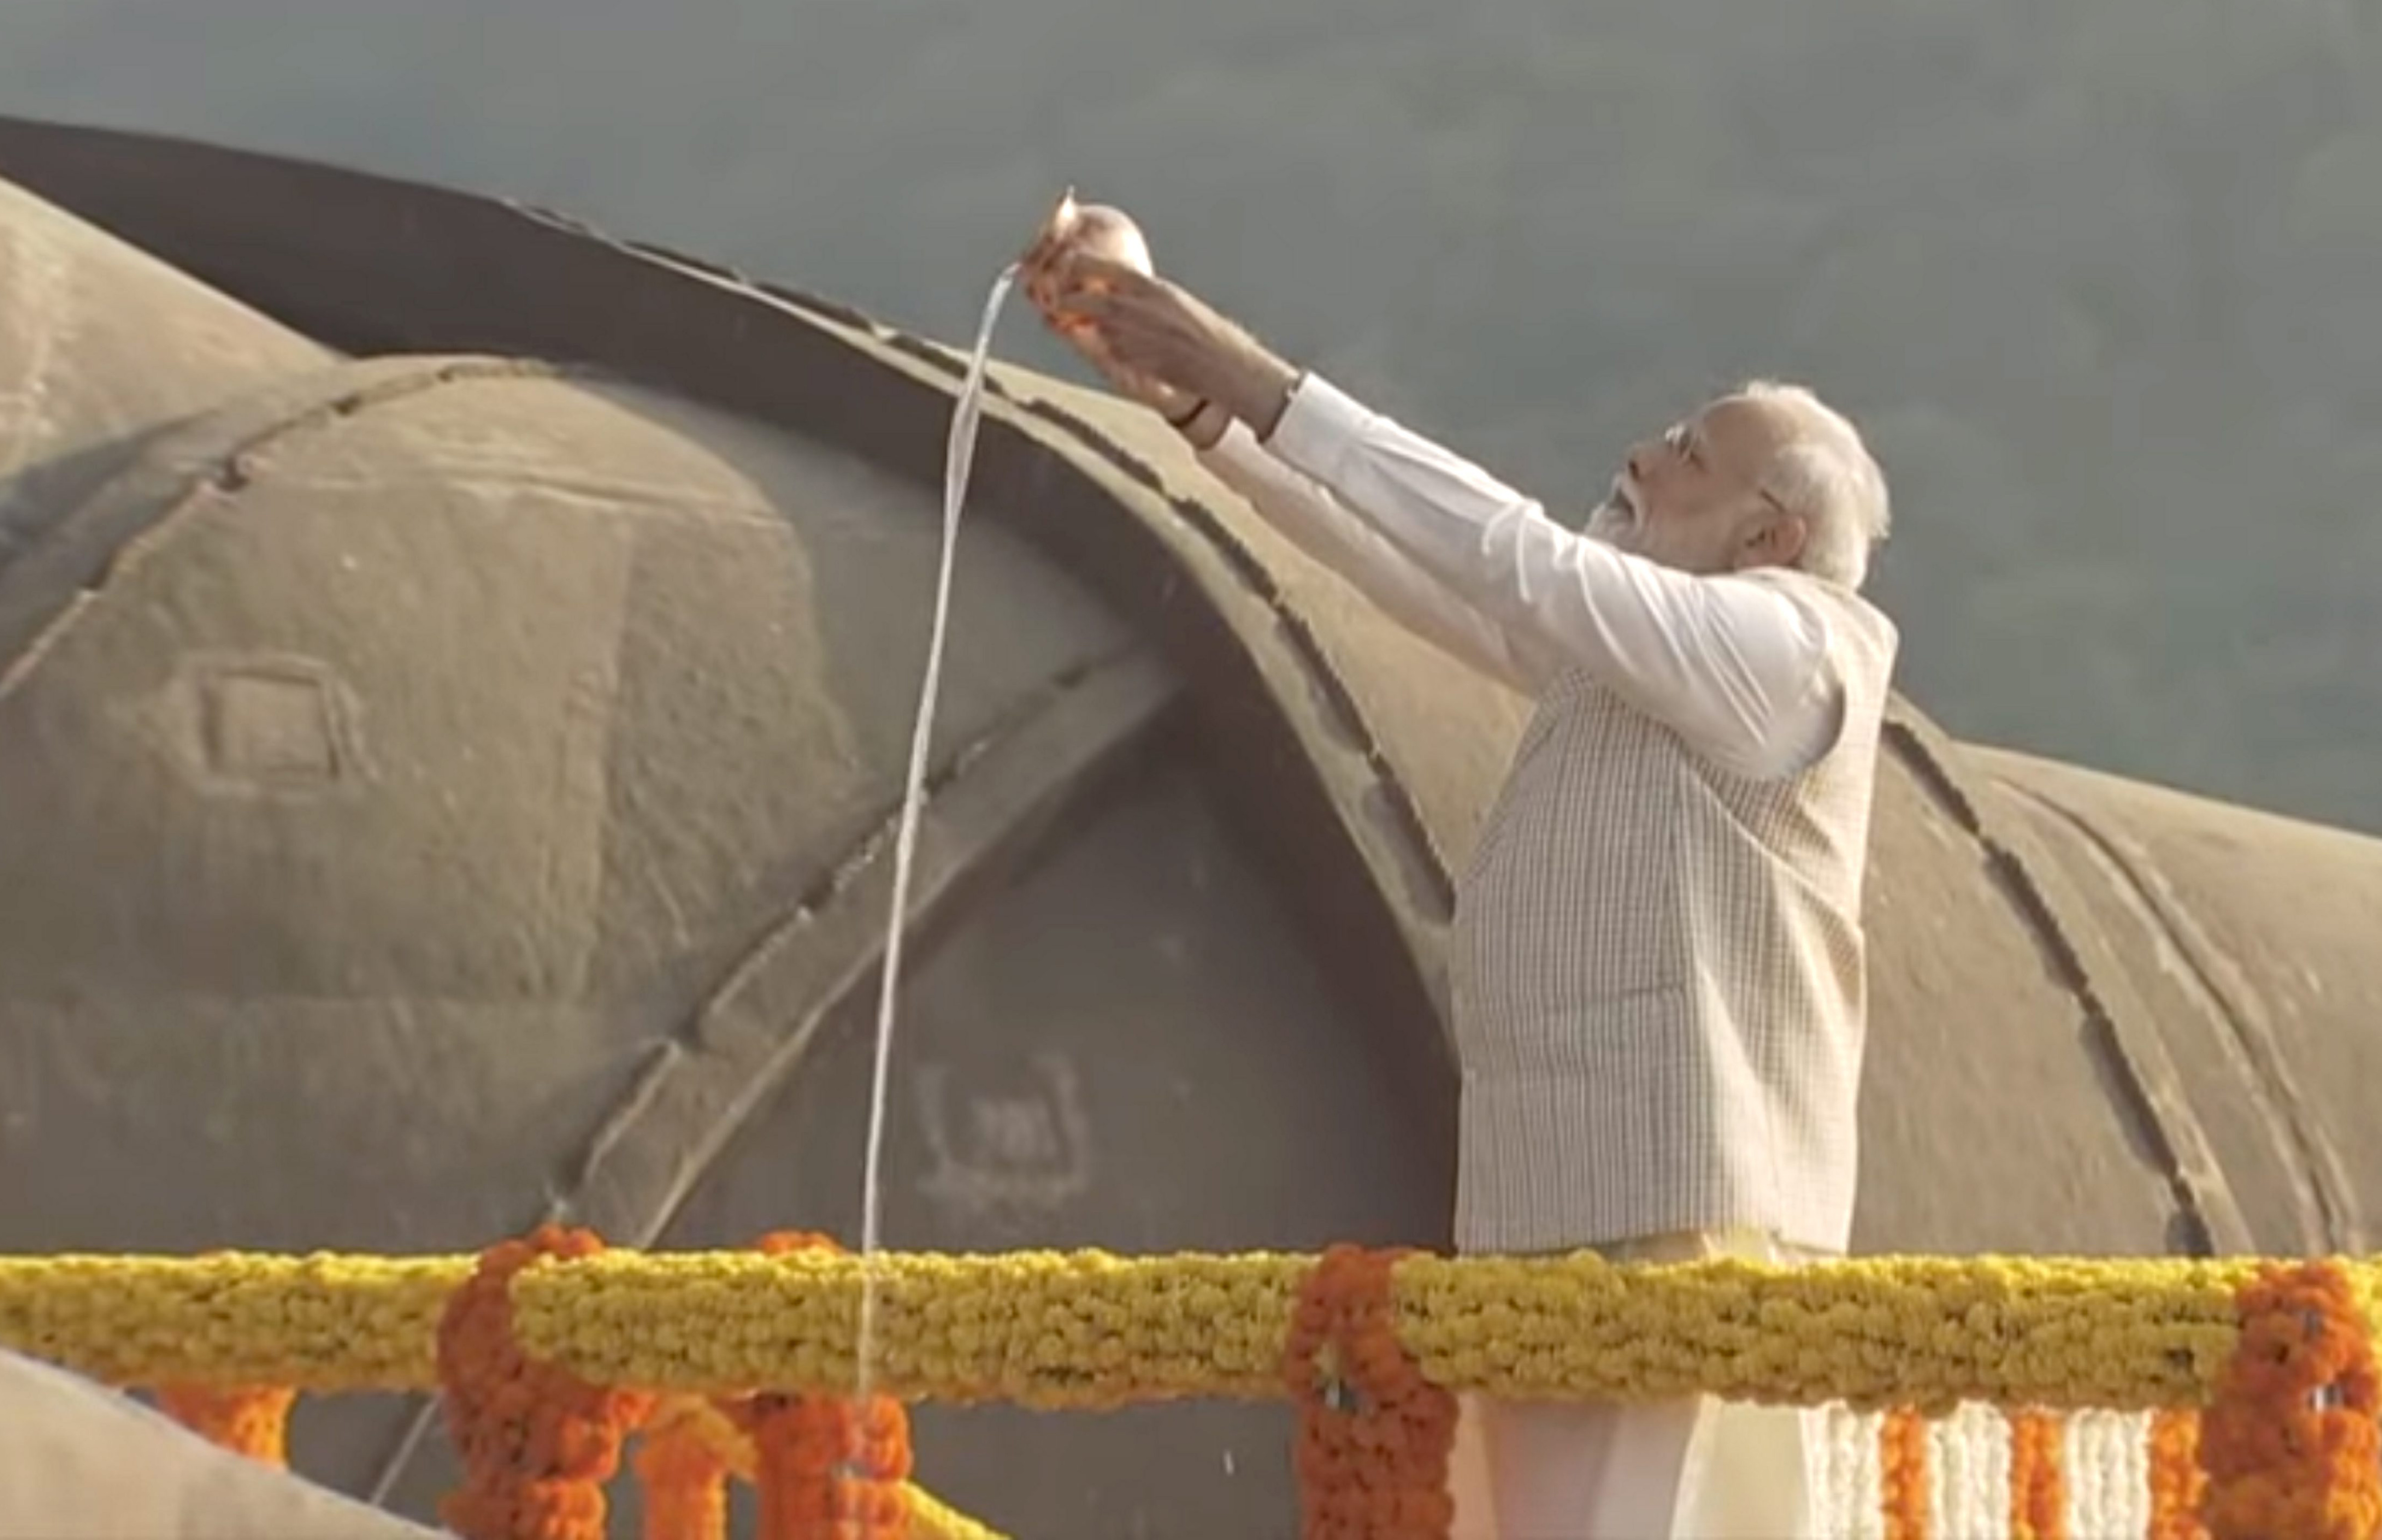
x: 2290, y: 1443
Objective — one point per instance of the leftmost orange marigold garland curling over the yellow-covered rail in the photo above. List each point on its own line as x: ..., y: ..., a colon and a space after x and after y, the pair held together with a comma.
x: 537, y: 1441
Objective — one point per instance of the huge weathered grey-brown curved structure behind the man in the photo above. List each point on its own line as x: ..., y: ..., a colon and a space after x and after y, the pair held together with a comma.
x: 454, y: 690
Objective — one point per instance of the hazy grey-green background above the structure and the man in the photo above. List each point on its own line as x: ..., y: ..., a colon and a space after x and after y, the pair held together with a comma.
x: 2095, y: 273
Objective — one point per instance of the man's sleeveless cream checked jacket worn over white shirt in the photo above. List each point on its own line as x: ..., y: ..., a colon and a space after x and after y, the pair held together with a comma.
x: 1659, y: 974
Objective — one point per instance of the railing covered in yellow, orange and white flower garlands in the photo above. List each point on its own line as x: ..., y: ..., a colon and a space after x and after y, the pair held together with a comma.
x: 1966, y: 1396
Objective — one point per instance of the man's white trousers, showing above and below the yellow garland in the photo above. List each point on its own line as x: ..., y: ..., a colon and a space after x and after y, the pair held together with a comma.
x: 1695, y: 1470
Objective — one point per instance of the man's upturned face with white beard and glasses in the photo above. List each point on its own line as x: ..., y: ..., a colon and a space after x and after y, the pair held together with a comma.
x: 1692, y: 497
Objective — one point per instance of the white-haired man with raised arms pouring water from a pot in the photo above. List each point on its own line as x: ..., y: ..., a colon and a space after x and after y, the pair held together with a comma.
x: 1659, y: 988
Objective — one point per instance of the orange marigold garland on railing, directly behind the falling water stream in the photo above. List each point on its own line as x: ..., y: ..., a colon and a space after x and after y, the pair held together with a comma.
x: 828, y: 1467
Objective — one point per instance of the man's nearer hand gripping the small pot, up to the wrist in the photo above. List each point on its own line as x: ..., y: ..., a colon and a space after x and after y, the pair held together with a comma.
x: 1159, y: 330
